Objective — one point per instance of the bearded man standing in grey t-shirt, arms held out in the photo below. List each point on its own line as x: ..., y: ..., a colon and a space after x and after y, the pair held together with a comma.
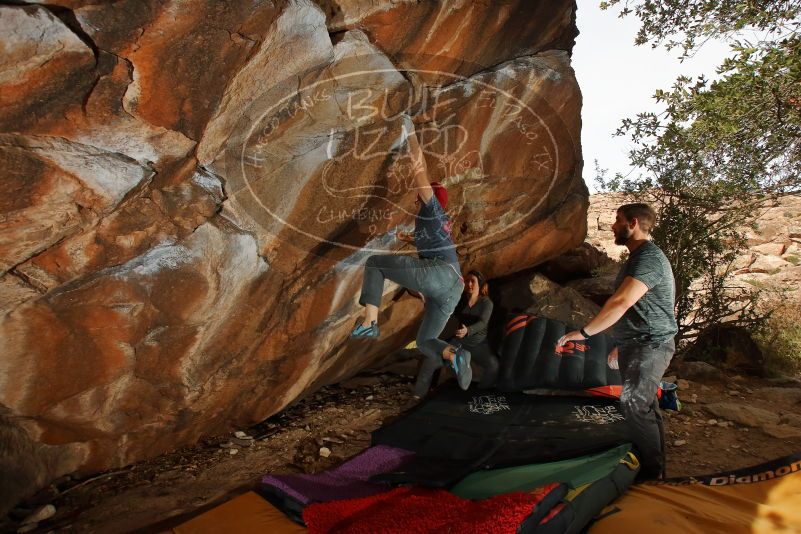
x: 642, y: 313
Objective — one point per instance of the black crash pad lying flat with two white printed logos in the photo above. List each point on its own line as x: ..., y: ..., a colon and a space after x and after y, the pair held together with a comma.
x: 455, y: 432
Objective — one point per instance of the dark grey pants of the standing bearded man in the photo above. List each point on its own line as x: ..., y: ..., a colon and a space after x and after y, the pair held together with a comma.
x: 641, y: 368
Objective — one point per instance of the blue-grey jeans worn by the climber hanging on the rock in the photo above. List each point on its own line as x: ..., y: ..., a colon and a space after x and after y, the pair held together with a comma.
x: 441, y: 286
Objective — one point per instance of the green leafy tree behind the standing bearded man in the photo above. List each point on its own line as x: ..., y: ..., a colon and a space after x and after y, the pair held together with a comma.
x: 721, y: 148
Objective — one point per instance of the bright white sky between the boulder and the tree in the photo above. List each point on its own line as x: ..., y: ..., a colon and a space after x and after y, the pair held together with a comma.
x: 618, y: 79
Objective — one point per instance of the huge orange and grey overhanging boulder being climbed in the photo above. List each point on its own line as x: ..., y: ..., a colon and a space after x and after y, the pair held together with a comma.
x: 189, y: 192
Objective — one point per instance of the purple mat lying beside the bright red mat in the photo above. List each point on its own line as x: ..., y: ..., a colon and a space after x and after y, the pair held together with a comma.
x: 348, y: 481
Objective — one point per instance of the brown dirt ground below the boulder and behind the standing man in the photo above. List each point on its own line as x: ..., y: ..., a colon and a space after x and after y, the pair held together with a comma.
x: 154, y: 495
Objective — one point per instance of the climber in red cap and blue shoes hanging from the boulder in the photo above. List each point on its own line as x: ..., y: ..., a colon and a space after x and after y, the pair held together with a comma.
x: 435, y: 275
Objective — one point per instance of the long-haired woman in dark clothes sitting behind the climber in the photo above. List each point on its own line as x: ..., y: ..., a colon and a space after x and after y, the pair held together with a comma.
x: 473, y: 313
